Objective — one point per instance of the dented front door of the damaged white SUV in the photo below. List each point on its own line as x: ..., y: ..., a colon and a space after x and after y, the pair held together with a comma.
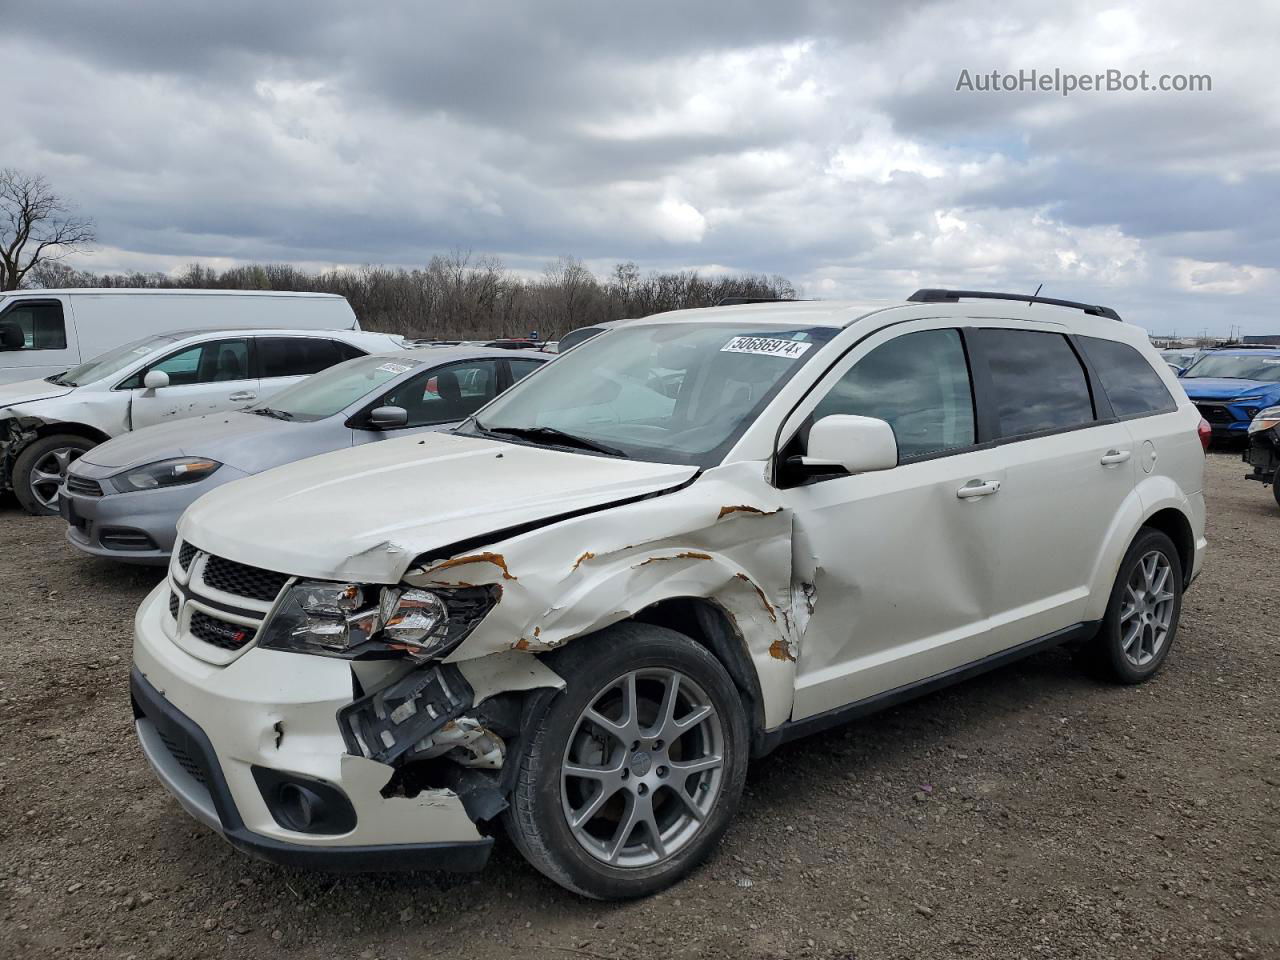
x: 900, y: 561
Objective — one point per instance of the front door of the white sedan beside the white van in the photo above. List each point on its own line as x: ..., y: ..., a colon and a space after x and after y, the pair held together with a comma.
x: 205, y: 378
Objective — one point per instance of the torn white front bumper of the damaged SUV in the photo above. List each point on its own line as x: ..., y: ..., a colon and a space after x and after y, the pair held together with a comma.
x: 205, y: 730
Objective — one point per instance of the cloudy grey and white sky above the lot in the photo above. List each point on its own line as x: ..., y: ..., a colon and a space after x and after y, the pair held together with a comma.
x: 825, y: 141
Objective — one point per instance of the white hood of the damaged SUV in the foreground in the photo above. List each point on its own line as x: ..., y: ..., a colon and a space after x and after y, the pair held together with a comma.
x: 365, y: 514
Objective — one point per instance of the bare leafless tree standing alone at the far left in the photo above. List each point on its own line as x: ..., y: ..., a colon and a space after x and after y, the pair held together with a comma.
x: 36, y: 227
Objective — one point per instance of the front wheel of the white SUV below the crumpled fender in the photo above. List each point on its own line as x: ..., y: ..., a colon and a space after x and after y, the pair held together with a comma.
x: 546, y: 796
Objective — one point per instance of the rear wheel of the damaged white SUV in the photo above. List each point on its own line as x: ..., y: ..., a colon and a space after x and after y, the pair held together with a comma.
x: 1151, y: 637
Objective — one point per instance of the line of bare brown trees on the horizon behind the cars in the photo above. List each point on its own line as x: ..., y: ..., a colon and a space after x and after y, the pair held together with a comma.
x: 460, y: 295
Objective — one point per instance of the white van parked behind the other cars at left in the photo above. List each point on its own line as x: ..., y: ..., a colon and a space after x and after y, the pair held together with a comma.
x: 48, y: 332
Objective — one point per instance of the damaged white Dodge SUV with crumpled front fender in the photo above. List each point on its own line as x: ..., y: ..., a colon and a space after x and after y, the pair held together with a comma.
x: 685, y: 542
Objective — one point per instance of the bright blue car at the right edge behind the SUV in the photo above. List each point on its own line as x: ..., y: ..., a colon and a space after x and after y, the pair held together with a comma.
x: 1232, y: 385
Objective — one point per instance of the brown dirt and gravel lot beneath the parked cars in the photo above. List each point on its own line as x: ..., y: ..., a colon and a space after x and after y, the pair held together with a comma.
x: 1028, y: 813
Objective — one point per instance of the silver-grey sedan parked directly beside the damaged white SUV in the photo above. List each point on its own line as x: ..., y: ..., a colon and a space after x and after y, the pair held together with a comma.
x: 122, y: 500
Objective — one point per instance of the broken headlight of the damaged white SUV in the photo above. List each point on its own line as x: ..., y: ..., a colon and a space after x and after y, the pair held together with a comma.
x: 354, y: 621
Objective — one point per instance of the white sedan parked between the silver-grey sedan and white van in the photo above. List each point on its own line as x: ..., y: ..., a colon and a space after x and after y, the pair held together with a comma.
x: 47, y: 424
